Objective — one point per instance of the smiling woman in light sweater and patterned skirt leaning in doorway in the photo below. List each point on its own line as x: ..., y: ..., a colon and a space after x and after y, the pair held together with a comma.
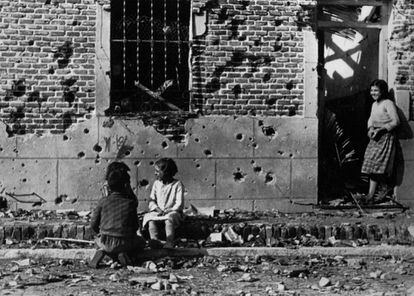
x: 380, y: 155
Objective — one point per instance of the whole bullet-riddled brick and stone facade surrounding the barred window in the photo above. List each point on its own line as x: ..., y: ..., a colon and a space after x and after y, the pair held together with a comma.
x: 253, y: 143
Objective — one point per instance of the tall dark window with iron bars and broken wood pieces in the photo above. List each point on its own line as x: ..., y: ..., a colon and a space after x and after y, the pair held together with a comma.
x: 149, y: 55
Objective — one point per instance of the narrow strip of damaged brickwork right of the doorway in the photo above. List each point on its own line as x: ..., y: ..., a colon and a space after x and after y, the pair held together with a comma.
x: 401, y: 49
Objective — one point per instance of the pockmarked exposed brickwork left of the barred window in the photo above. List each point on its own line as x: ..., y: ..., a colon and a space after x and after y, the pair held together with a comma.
x: 47, y: 64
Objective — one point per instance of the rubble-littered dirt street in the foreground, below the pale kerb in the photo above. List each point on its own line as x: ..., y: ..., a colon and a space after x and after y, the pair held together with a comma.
x: 212, y: 276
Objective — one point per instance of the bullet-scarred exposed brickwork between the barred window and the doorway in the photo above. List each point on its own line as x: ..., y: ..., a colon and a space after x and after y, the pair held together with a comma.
x: 250, y: 61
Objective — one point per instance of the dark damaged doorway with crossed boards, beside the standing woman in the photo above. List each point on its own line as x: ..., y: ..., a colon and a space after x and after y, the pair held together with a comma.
x: 352, y: 44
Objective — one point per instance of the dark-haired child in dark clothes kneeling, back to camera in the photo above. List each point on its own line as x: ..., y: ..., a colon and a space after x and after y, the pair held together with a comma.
x: 115, y: 219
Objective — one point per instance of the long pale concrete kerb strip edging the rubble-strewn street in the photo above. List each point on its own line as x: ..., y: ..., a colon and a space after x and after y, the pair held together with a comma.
x: 86, y: 254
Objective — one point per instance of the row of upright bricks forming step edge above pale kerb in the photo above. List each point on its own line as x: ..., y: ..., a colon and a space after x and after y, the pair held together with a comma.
x: 372, y: 233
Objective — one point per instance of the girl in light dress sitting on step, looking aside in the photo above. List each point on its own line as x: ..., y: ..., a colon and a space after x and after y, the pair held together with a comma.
x: 166, y: 203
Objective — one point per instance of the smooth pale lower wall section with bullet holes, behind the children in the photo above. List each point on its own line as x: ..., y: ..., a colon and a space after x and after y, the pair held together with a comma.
x: 246, y: 162
